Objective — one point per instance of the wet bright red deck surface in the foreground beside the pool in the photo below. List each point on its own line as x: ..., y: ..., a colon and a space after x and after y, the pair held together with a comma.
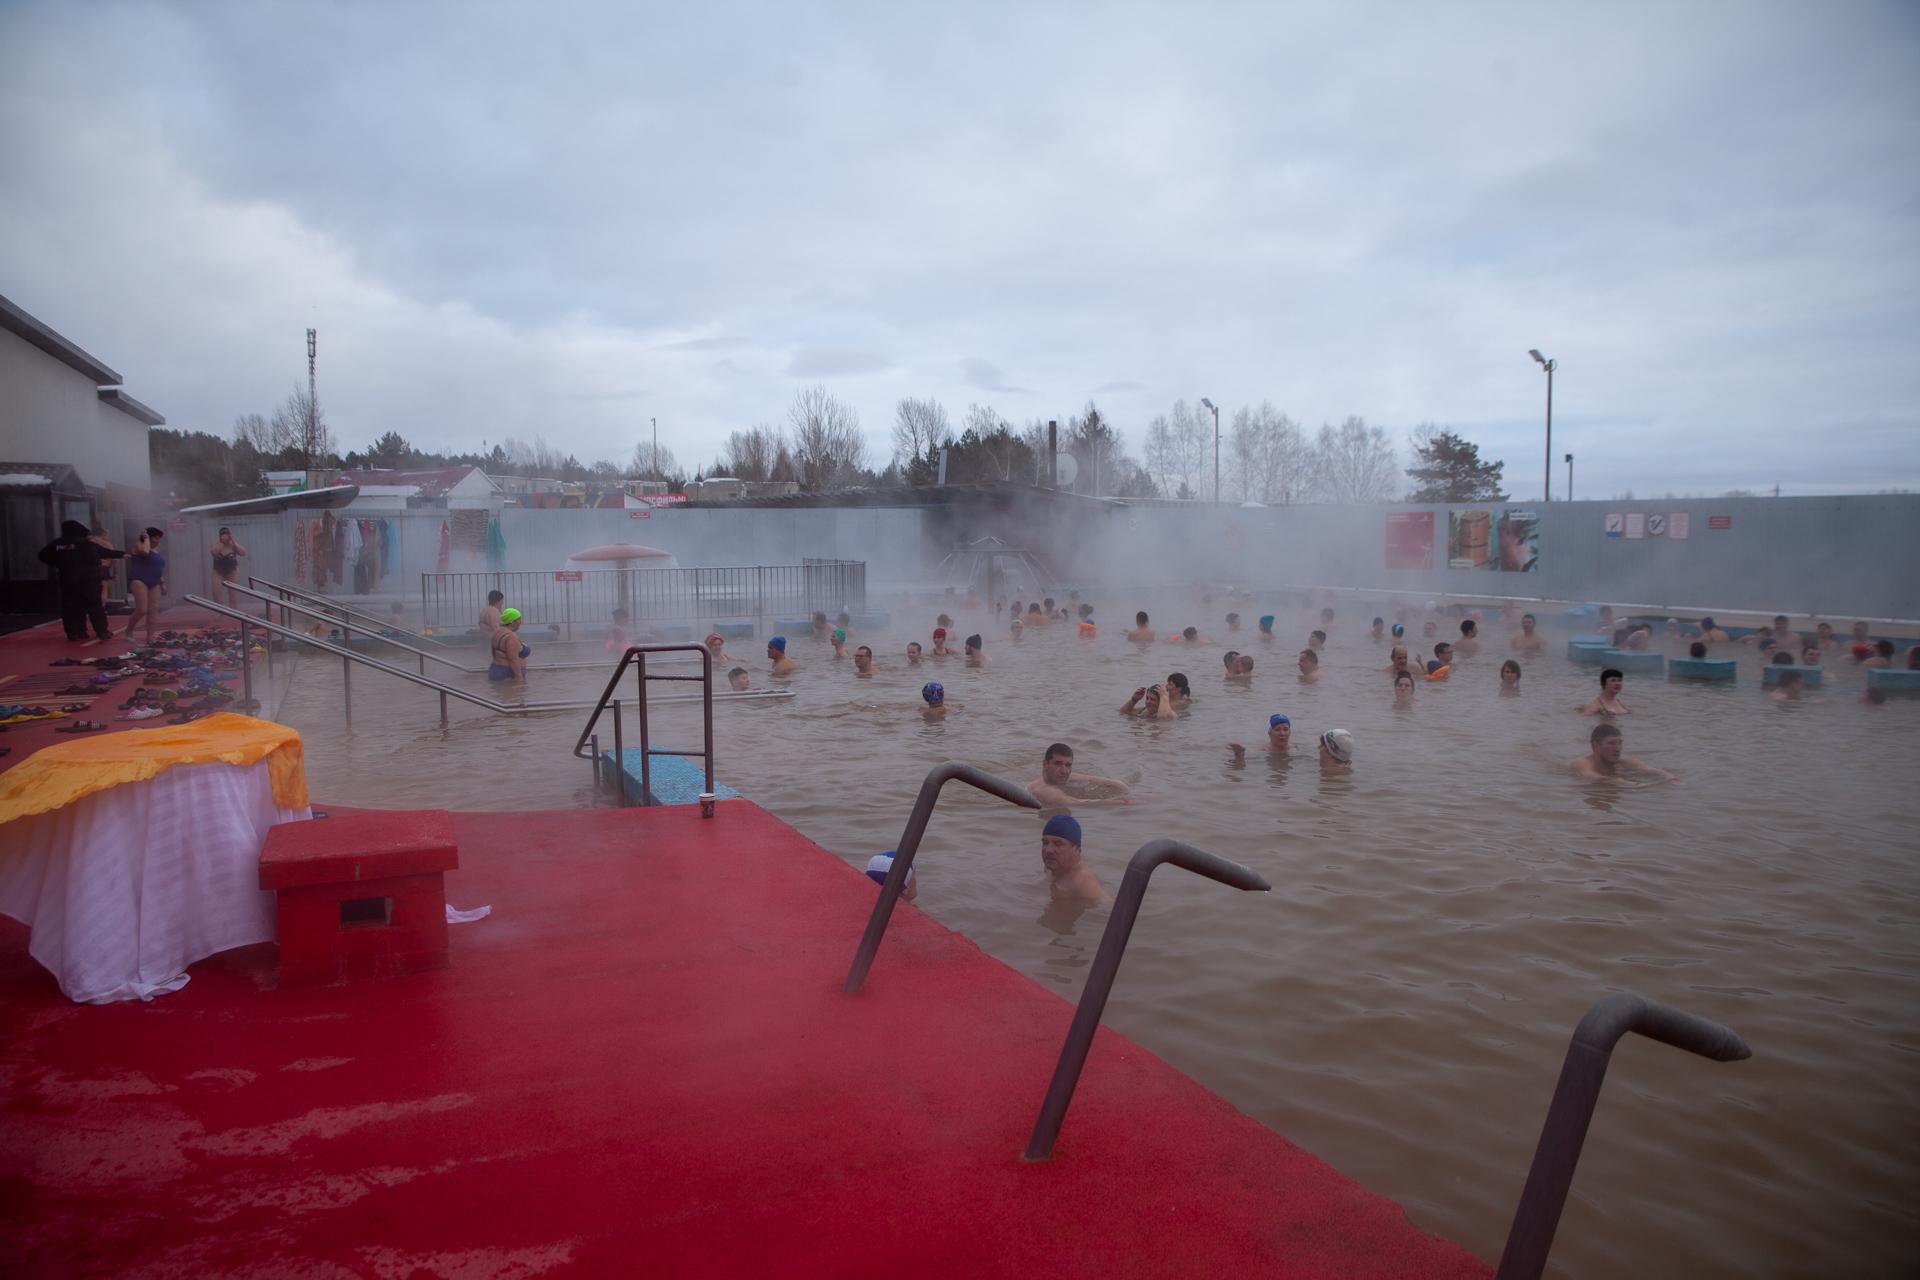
x: 640, y: 1066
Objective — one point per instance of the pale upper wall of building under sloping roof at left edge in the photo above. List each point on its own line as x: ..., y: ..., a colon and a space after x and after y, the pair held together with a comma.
x: 53, y: 414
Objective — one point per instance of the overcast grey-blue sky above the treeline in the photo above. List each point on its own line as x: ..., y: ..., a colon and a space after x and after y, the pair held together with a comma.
x: 569, y: 220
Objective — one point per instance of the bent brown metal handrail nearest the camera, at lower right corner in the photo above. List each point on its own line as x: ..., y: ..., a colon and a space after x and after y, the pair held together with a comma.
x: 1575, y: 1097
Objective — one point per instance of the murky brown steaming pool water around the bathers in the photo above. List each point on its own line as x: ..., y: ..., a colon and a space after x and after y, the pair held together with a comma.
x: 1441, y: 920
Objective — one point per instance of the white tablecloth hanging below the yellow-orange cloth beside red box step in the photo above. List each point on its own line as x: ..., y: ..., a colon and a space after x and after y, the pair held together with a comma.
x: 130, y: 886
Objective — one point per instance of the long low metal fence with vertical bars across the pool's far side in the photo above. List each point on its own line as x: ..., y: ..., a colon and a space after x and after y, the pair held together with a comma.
x: 588, y: 598
